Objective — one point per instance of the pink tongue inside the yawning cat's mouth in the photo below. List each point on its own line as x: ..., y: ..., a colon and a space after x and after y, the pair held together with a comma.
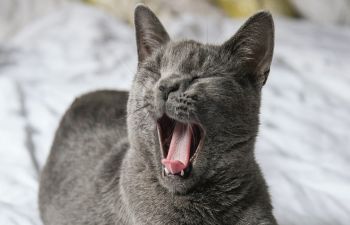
x: 179, y: 150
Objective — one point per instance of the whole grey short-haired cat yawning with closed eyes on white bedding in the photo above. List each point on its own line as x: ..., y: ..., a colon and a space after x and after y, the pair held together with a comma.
x: 178, y: 149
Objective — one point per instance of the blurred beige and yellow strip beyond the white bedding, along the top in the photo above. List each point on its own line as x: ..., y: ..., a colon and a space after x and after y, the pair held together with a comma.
x: 14, y: 14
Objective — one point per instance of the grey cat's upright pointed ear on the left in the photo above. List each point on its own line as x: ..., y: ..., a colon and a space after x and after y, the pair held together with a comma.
x: 150, y: 33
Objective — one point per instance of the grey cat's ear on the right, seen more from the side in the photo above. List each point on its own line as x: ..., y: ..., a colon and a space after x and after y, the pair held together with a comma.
x: 252, y: 46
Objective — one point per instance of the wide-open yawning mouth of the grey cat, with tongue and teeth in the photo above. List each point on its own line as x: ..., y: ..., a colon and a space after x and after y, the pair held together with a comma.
x: 180, y: 143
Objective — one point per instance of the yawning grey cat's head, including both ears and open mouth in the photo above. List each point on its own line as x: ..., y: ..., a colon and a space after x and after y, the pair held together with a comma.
x: 193, y: 108
